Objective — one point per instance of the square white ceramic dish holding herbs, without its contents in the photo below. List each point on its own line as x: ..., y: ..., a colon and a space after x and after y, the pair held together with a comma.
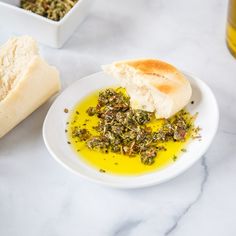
x: 46, y: 31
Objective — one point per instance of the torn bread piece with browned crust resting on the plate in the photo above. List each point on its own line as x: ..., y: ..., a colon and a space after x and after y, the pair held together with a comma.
x: 152, y: 85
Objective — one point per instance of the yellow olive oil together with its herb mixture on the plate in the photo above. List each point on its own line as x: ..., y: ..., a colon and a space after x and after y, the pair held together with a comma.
x: 111, y: 136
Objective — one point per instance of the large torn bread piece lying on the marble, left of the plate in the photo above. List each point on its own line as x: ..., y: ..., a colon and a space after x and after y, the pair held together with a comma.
x: 26, y: 81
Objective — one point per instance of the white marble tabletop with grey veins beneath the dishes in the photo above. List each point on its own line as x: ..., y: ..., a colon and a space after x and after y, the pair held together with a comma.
x: 38, y: 197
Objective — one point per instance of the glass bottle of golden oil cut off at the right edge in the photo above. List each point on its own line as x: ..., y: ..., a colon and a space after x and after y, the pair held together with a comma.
x: 231, y: 27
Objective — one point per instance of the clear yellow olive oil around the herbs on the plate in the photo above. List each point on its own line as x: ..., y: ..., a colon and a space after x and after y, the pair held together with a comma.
x: 114, y: 163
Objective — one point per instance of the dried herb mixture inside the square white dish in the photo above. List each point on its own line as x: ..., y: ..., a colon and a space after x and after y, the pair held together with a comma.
x: 51, y: 9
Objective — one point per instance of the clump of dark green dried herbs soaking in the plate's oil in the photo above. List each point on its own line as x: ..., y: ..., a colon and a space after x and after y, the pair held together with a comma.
x: 124, y: 130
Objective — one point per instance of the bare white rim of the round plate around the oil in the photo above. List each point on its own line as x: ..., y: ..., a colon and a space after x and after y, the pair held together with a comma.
x: 56, y: 140
